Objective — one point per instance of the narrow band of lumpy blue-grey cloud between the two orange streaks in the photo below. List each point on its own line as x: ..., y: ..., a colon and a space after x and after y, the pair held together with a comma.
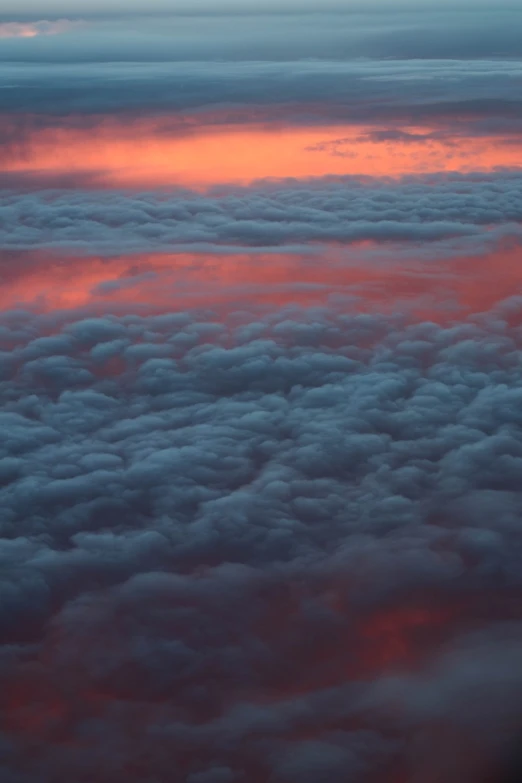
x: 344, y: 210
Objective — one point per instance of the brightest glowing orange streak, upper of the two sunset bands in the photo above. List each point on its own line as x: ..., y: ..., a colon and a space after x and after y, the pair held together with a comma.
x: 140, y: 155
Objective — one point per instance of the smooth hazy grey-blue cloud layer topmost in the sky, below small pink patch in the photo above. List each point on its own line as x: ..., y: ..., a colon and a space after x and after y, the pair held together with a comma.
x: 419, y: 33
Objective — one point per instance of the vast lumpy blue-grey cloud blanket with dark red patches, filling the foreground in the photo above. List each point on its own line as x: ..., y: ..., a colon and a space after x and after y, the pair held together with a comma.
x: 272, y: 549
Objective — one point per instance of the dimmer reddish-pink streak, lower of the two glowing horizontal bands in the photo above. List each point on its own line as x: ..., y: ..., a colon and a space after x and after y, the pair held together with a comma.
x: 165, y: 282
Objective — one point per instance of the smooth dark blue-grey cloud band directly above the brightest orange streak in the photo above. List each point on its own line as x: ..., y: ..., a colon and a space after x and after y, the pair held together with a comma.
x: 317, y: 90
